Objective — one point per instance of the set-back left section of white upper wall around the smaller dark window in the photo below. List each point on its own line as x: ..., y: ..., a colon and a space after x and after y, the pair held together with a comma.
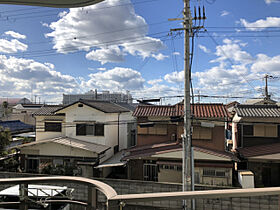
x: 40, y: 127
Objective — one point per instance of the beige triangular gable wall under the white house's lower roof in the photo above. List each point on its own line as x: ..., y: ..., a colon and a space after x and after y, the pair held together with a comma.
x: 54, y: 149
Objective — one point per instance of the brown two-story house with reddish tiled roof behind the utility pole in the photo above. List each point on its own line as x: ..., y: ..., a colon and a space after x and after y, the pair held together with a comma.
x: 158, y: 153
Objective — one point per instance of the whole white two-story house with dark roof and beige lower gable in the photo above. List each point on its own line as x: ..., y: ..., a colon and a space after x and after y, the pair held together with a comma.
x: 82, y: 135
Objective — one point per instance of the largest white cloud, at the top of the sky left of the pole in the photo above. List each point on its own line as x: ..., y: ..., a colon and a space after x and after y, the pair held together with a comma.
x: 97, y: 30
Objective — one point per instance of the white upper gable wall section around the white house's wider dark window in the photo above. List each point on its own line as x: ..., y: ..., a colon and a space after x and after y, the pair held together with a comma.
x: 75, y: 115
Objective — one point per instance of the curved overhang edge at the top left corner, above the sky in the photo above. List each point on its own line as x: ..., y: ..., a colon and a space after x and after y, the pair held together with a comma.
x: 52, y: 3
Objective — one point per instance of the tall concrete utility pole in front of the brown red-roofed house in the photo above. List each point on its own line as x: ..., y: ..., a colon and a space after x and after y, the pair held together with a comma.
x: 188, y: 162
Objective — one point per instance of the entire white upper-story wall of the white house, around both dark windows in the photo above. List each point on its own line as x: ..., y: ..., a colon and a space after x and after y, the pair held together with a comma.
x: 78, y: 115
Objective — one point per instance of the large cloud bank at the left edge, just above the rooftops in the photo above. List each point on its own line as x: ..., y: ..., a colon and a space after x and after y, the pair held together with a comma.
x: 17, y: 75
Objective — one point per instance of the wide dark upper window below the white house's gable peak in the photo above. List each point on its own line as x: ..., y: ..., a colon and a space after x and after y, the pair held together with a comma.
x: 90, y: 130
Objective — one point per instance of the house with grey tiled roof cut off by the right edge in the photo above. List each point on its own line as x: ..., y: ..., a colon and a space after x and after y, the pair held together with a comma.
x: 256, y: 139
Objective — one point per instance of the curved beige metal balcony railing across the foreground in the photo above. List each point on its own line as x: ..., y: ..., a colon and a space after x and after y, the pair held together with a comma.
x: 115, y: 201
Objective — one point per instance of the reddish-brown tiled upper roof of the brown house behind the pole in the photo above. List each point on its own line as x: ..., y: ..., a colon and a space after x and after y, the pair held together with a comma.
x: 198, y: 110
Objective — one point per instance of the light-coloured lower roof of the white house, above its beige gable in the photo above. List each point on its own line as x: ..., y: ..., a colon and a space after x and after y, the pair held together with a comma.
x: 71, y: 142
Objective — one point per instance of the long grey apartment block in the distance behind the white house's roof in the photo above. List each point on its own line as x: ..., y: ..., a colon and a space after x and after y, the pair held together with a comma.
x: 103, y: 96
